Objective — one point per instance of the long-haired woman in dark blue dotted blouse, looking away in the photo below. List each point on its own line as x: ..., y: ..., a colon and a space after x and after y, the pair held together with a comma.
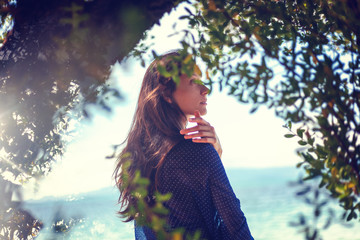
x: 184, y: 162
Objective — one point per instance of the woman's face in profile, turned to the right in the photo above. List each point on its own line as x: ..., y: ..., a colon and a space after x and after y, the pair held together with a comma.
x: 190, y: 95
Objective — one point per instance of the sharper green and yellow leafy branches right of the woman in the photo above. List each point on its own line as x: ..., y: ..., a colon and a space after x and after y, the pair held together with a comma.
x: 300, y: 58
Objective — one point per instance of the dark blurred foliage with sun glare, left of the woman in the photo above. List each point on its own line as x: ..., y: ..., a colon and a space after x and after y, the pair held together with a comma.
x: 55, y: 59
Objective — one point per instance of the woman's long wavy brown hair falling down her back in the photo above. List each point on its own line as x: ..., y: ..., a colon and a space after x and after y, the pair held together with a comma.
x: 154, y: 131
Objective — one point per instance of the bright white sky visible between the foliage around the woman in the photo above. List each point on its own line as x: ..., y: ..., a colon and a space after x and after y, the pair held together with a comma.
x: 248, y: 140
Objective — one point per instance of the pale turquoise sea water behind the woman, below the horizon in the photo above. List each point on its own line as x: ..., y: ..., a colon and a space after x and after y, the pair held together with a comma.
x: 267, y: 199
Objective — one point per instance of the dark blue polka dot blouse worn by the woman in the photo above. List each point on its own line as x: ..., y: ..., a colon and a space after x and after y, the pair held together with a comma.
x: 202, y: 197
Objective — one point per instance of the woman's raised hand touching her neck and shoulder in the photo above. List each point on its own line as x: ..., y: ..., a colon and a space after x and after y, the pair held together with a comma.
x: 202, y: 133
